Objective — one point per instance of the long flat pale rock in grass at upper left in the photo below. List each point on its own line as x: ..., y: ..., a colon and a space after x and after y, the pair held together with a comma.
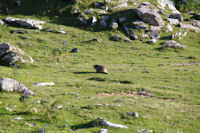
x: 26, y: 22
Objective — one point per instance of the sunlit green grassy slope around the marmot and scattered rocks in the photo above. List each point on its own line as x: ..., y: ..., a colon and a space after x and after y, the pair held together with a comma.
x: 174, y: 106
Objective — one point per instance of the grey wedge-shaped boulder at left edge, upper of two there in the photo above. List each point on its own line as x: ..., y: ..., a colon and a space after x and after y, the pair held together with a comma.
x: 10, y: 55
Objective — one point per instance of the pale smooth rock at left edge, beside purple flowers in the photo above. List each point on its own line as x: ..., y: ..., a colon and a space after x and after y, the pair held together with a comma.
x: 8, y: 84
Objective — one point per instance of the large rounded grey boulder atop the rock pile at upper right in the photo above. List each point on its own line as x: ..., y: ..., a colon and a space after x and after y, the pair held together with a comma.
x: 149, y: 15
